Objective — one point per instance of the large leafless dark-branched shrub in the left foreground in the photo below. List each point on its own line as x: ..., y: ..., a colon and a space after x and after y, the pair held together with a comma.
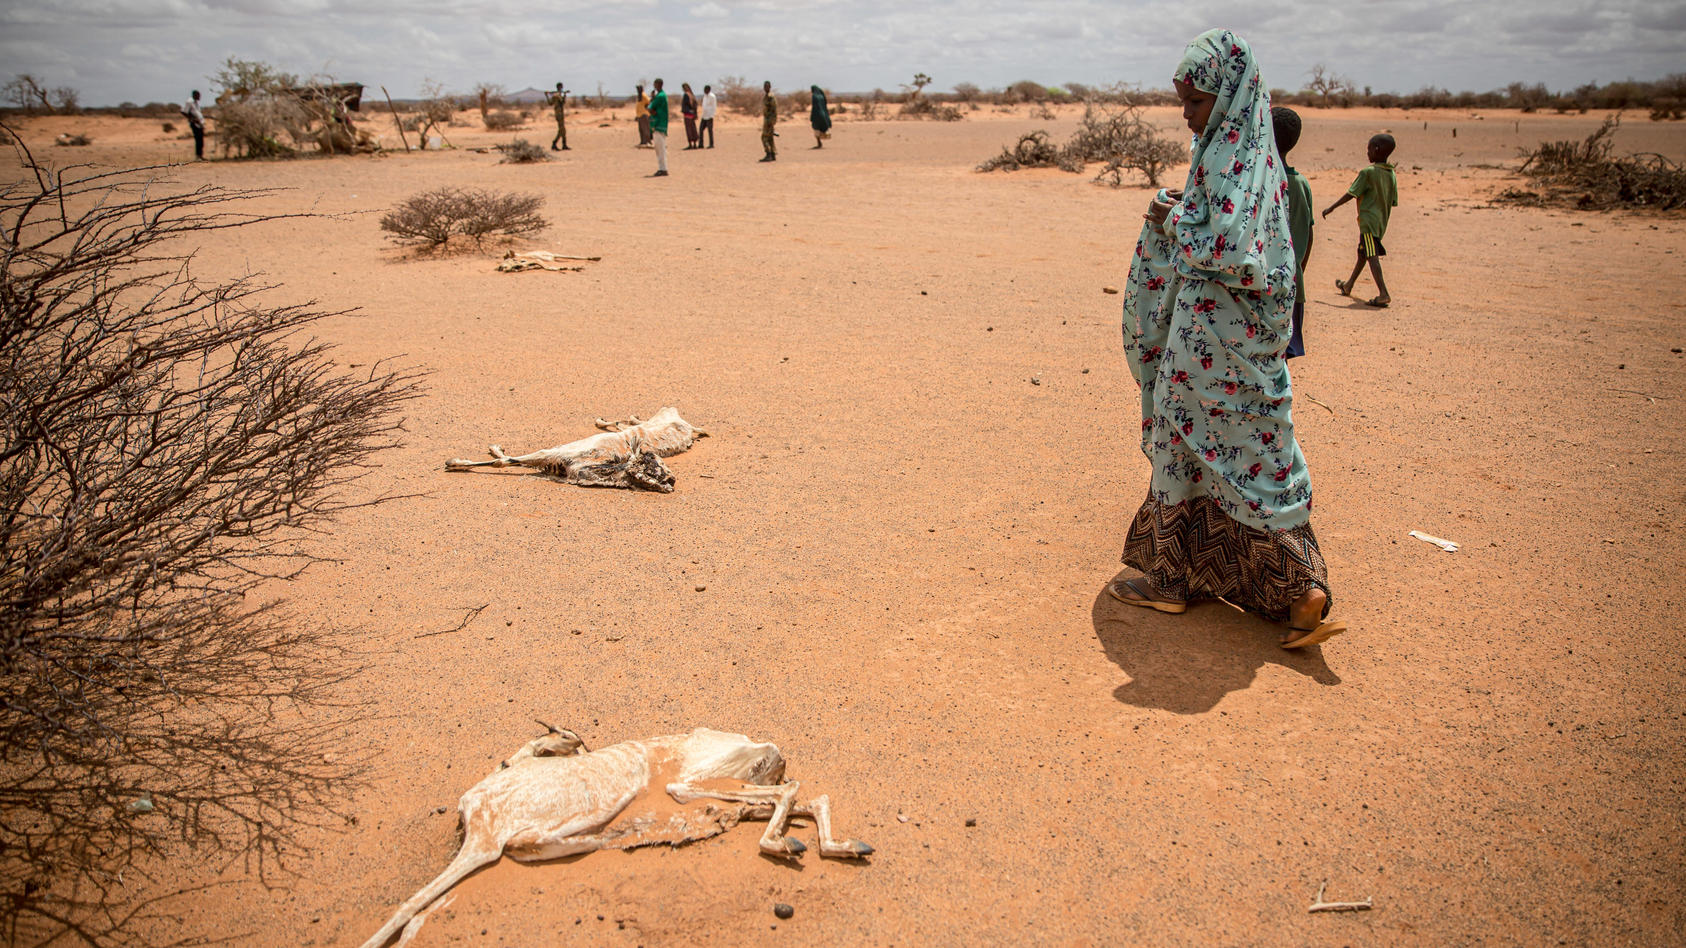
x: 166, y: 450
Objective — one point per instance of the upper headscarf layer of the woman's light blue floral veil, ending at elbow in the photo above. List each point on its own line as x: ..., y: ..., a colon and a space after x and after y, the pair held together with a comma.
x: 1232, y: 224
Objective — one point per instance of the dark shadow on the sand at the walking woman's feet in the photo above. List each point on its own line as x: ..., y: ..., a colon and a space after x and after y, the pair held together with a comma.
x: 1188, y: 664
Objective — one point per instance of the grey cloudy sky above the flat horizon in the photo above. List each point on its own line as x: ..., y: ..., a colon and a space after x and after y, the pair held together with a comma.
x: 156, y: 50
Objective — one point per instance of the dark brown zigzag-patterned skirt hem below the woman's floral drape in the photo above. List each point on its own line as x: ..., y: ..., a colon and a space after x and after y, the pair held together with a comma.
x: 1193, y: 551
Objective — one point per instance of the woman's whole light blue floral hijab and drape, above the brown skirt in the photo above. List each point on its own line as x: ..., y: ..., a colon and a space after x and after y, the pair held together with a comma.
x: 1208, y: 311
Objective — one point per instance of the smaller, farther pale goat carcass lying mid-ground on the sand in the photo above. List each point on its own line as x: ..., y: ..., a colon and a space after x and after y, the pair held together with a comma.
x: 628, y: 455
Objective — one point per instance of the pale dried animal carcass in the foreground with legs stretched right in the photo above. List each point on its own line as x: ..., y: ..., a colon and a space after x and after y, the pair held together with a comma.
x: 556, y: 799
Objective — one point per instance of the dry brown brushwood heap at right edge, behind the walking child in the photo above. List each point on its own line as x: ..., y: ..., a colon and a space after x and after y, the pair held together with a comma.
x: 1587, y: 175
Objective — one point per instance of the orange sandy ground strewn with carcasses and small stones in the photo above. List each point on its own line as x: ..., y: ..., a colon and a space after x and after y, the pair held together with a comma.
x: 905, y: 546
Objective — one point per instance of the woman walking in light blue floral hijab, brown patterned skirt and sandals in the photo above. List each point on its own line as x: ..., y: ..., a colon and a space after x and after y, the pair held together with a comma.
x: 1206, y: 323
